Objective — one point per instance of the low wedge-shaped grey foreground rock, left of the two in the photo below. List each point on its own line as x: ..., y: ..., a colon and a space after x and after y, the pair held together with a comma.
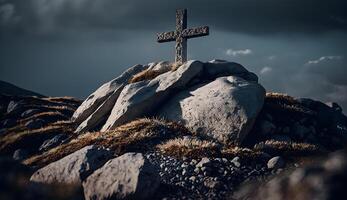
x: 74, y: 168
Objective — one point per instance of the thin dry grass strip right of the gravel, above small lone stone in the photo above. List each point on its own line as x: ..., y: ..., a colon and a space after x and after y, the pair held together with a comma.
x: 287, y: 148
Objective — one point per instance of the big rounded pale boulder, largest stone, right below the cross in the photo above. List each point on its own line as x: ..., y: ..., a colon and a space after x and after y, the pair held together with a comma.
x: 224, y: 109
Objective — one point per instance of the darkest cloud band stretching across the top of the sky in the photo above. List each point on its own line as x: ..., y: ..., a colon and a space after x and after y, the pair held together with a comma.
x: 247, y: 16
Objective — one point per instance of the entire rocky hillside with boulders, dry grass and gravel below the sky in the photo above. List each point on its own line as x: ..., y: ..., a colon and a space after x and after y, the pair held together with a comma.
x: 163, y: 131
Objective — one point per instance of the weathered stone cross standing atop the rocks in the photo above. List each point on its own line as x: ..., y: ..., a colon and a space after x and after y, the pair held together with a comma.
x: 181, y: 34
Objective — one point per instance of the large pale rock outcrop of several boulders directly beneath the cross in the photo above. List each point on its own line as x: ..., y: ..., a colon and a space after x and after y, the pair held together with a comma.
x: 225, y: 96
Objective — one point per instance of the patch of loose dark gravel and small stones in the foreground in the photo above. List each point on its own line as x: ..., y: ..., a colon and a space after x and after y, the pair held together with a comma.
x: 205, y: 178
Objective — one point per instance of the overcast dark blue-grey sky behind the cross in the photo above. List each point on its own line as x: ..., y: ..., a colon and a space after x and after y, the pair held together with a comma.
x: 70, y: 47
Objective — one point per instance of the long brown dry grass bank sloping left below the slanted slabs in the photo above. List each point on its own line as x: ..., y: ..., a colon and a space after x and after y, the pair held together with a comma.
x: 139, y: 135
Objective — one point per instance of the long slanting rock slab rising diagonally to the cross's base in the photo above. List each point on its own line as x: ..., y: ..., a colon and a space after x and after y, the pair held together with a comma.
x: 142, y: 98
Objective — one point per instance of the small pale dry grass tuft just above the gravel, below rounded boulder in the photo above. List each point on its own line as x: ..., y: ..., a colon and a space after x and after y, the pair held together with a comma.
x: 189, y: 147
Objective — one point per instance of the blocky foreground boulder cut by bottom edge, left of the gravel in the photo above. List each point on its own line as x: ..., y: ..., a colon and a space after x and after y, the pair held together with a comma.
x: 129, y: 176
